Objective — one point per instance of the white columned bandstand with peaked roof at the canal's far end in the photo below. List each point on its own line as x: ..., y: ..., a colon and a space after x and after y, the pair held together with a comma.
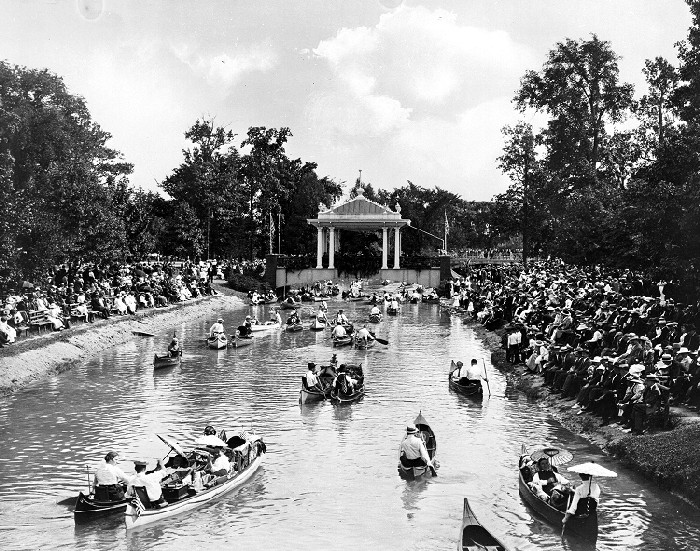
x: 358, y: 214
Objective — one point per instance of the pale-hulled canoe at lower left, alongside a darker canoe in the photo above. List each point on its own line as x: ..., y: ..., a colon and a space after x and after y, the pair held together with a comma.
x: 246, y: 459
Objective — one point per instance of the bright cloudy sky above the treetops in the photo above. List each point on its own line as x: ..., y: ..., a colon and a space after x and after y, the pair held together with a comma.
x: 401, y: 90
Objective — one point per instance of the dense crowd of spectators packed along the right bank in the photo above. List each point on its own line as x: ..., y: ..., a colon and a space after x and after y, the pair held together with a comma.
x: 616, y: 342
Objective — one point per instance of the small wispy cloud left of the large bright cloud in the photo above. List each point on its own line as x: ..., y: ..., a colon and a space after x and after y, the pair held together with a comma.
x: 224, y: 70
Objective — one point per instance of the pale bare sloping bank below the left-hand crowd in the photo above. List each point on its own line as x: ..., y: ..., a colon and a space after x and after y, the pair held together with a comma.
x: 36, y: 357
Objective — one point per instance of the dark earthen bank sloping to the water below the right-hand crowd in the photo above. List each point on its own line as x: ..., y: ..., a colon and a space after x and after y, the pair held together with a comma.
x: 667, y: 458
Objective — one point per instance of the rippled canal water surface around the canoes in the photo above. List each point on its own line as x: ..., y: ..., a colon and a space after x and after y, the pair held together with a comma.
x: 329, y: 480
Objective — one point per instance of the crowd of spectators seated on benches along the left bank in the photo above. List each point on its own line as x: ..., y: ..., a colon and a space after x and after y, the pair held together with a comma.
x: 88, y: 292
